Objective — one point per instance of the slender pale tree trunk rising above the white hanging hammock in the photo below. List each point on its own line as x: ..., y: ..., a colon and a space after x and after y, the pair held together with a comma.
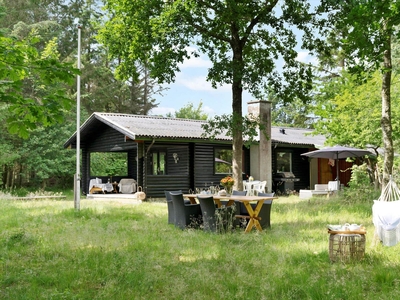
x: 386, y: 121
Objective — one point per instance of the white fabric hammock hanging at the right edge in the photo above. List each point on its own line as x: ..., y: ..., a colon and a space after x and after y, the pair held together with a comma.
x: 386, y: 214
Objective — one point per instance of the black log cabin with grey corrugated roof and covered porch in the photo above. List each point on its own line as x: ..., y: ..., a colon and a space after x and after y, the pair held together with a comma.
x: 172, y: 154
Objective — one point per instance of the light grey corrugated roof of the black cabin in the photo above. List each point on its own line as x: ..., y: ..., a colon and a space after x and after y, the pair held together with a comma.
x: 137, y: 127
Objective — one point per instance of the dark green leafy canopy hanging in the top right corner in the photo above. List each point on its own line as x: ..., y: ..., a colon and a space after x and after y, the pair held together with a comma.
x: 361, y: 30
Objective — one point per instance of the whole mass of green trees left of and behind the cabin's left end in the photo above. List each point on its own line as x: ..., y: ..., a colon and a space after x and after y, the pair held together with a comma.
x: 38, y: 45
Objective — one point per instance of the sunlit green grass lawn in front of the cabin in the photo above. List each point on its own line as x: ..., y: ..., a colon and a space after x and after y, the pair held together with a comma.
x: 114, y: 251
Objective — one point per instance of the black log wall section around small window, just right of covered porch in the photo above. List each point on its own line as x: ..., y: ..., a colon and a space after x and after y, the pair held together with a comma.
x: 178, y: 175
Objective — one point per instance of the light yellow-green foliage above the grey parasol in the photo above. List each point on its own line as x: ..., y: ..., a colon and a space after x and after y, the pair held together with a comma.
x: 344, y: 103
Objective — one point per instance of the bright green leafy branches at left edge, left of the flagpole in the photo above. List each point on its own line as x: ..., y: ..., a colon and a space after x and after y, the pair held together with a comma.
x: 47, y: 100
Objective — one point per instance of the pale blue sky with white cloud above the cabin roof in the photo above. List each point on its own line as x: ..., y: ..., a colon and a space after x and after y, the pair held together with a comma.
x: 190, y: 86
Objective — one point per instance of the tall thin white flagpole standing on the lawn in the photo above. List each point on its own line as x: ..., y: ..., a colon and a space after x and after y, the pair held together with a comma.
x: 77, y: 197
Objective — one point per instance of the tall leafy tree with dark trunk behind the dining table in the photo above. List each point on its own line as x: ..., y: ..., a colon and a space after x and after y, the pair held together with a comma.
x: 243, y: 40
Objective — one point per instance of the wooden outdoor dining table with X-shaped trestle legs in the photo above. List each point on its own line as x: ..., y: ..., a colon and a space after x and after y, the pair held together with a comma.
x: 246, y: 200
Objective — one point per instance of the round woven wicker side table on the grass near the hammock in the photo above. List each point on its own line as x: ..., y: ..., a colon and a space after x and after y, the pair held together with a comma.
x: 346, y: 246
